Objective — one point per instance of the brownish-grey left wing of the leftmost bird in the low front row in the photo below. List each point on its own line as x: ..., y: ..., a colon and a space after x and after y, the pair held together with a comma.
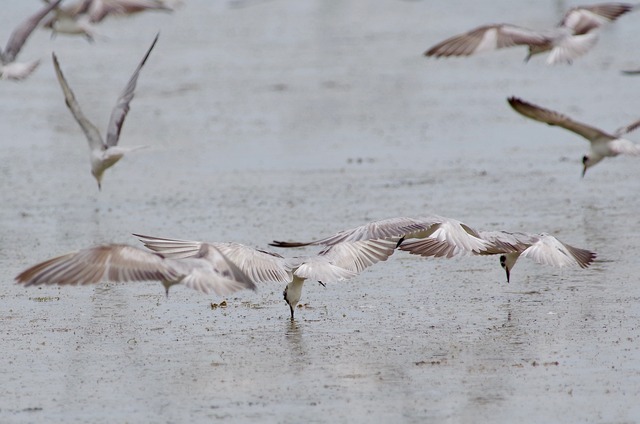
x: 107, y: 262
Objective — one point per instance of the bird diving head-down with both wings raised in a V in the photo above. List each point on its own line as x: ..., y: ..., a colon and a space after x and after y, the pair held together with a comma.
x: 104, y: 153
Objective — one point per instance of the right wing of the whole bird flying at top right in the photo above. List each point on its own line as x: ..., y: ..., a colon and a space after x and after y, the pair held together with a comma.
x: 584, y: 19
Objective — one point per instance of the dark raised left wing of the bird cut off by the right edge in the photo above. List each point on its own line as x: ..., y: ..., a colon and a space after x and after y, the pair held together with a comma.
x: 557, y: 119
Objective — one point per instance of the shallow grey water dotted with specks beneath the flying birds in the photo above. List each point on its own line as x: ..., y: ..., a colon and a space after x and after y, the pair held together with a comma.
x: 291, y: 120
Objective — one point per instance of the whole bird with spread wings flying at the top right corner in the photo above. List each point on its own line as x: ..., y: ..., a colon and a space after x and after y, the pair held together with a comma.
x: 570, y: 39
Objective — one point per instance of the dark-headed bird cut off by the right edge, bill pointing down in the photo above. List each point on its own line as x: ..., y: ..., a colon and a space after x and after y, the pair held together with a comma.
x: 603, y: 144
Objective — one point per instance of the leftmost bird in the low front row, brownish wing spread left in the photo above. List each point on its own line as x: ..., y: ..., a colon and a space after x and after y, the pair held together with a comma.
x: 206, y: 270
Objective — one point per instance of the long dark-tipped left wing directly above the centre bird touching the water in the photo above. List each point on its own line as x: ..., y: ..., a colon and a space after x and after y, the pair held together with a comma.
x: 381, y: 229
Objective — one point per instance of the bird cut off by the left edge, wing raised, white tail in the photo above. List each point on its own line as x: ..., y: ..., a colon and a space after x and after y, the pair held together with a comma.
x: 9, y: 68
